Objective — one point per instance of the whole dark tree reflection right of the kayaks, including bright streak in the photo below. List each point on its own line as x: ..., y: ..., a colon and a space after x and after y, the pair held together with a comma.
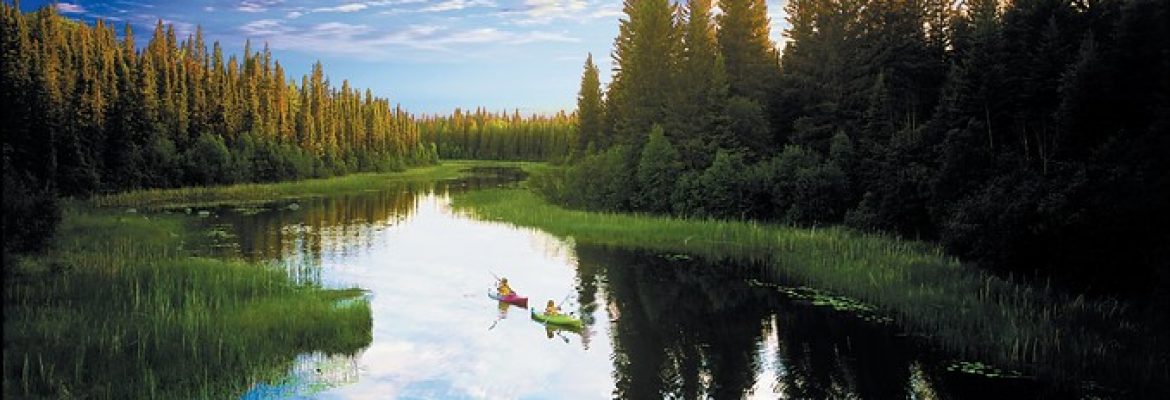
x: 687, y: 329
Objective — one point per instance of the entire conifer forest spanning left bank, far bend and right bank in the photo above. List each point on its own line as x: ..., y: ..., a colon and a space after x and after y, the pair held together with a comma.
x: 1029, y: 136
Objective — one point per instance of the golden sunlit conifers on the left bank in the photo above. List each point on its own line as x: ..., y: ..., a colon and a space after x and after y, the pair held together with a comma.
x: 86, y: 113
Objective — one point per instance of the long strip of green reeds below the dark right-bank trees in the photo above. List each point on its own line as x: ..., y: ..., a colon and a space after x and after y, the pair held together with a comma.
x: 963, y: 311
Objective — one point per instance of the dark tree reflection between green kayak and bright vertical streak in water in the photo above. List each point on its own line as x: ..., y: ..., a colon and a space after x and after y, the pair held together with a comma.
x: 678, y: 333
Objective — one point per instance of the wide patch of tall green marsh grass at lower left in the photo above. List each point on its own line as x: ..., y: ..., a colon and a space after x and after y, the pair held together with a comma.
x: 116, y: 312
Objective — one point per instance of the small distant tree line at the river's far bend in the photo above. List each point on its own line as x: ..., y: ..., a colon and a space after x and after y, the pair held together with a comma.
x: 484, y: 135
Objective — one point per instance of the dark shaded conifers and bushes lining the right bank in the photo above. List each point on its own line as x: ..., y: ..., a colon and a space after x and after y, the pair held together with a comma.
x: 1028, y: 136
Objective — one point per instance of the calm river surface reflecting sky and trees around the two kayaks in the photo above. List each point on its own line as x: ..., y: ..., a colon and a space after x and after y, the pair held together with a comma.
x: 657, y: 326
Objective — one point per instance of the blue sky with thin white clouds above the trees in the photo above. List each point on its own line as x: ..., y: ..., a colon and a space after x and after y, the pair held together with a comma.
x: 430, y: 57
